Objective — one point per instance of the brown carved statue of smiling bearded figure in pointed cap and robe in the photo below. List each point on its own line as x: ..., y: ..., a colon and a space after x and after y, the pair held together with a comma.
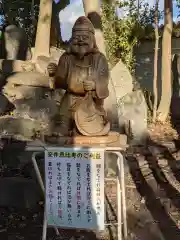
x: 83, y: 72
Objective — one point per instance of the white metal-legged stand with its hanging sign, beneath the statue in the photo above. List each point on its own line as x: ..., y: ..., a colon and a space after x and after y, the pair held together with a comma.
x: 74, y: 191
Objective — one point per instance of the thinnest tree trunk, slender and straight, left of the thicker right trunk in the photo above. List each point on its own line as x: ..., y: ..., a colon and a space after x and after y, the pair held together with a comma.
x: 155, y: 86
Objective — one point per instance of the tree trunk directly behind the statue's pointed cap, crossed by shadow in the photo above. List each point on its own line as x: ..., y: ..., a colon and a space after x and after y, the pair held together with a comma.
x: 93, y: 12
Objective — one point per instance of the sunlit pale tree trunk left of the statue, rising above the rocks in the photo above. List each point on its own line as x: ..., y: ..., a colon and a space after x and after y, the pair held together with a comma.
x: 42, y: 43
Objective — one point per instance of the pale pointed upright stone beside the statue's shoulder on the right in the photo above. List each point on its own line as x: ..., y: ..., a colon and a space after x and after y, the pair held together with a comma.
x: 122, y: 80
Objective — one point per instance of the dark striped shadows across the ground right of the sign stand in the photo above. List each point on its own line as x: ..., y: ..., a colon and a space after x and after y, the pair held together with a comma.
x: 160, y: 214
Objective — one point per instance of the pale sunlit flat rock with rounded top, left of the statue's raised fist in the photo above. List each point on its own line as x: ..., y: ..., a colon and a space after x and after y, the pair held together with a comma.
x: 29, y: 79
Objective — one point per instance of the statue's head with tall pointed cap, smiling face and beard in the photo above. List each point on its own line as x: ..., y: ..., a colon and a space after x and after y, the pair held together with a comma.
x: 83, y: 39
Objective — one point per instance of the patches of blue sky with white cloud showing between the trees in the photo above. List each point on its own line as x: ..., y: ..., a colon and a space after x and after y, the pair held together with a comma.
x: 69, y: 15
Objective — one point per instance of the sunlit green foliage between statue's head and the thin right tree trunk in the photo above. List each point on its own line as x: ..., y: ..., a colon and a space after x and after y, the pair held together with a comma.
x: 122, y: 35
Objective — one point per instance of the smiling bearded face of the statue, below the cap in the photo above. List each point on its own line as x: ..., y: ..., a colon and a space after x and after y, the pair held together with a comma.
x: 82, y: 43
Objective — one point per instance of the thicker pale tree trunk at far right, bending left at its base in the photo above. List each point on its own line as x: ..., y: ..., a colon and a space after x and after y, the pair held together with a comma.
x: 166, y: 93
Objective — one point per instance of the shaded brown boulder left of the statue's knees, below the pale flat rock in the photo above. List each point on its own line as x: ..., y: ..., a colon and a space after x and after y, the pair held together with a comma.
x: 43, y: 110
